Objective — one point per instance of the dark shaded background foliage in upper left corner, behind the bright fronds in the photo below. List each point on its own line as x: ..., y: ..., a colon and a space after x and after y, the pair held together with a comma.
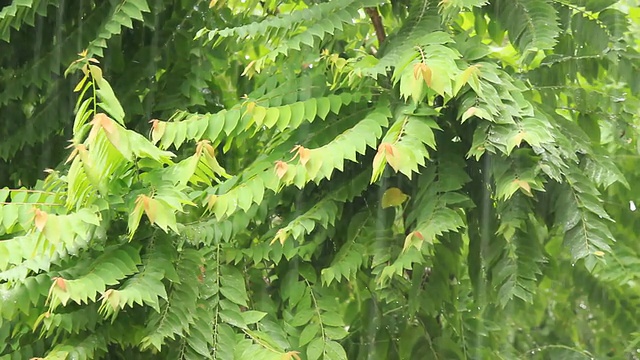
x: 146, y: 46
